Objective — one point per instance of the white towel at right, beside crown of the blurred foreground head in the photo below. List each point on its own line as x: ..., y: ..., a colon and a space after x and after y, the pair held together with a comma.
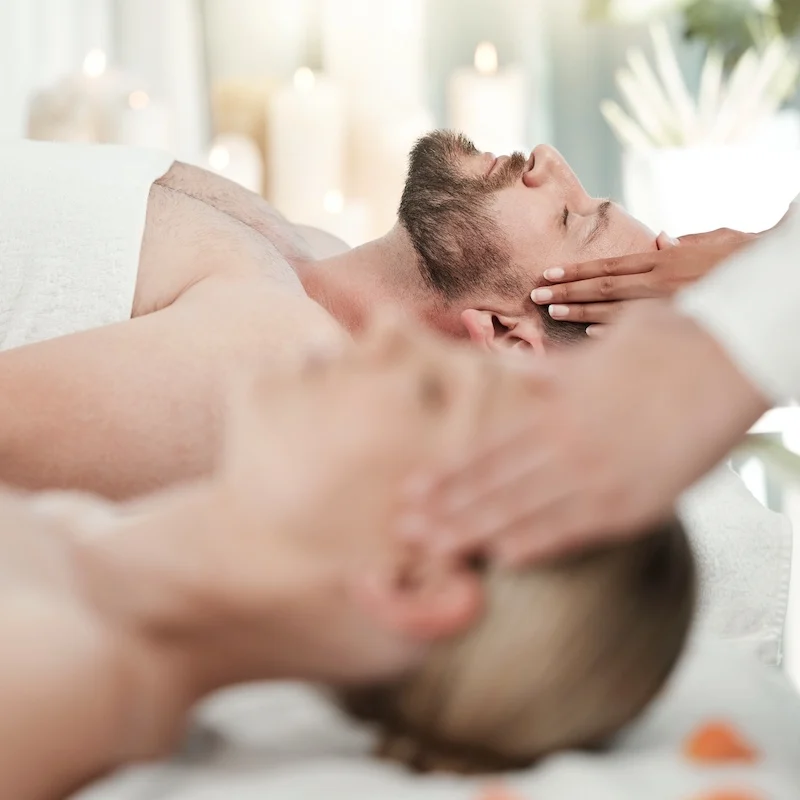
x: 744, y: 555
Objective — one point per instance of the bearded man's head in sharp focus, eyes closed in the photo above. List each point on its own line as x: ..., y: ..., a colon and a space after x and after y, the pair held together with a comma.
x: 484, y: 230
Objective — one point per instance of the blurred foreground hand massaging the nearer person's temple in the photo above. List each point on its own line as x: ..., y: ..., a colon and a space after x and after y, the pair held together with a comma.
x: 613, y: 434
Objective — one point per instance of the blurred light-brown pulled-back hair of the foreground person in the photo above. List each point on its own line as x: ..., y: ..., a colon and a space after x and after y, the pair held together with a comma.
x: 562, y: 656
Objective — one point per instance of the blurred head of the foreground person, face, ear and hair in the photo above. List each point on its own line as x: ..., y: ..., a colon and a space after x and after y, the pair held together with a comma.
x: 473, y: 667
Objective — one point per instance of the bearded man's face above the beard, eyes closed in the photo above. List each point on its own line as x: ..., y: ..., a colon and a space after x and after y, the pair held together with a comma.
x: 550, y: 220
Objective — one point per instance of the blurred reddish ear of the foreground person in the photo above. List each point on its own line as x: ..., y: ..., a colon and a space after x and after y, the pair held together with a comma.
x: 424, y: 598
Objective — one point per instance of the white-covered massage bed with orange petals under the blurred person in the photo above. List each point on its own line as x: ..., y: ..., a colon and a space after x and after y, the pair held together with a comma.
x: 728, y: 720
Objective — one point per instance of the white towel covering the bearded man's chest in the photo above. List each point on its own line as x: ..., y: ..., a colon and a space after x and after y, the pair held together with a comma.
x: 72, y: 219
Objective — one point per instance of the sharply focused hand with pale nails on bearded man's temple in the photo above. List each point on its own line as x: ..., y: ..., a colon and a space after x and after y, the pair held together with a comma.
x: 597, y: 291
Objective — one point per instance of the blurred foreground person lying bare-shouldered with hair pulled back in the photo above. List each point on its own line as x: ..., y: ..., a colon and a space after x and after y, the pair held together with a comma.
x: 115, y: 619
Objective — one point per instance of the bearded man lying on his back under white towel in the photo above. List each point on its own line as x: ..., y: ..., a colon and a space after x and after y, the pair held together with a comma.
x: 130, y: 401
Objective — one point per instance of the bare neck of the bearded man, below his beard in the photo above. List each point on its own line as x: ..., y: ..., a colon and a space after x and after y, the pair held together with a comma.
x: 380, y: 274
